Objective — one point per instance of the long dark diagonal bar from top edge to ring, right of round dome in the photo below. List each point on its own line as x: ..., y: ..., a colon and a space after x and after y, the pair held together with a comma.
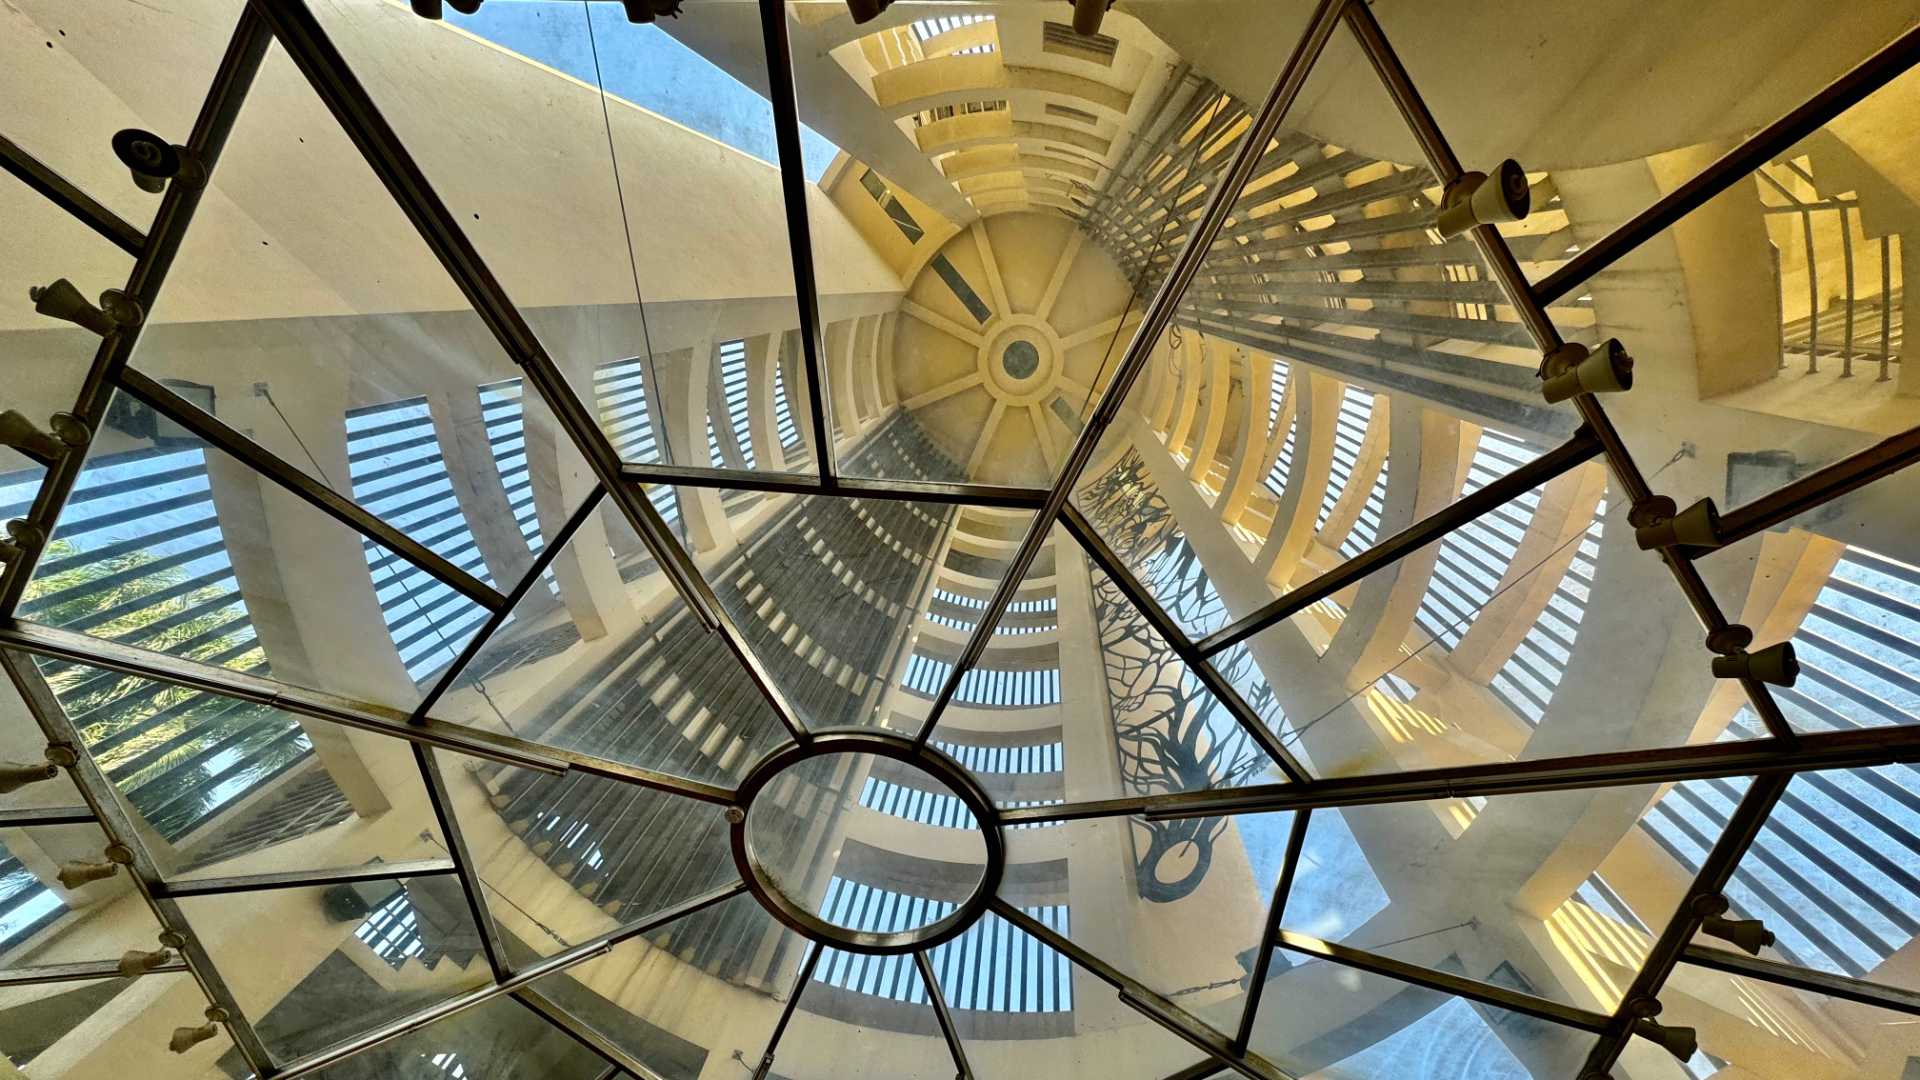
x: 1155, y: 320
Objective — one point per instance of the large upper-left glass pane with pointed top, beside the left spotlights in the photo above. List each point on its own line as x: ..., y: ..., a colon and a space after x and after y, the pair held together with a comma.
x: 350, y: 355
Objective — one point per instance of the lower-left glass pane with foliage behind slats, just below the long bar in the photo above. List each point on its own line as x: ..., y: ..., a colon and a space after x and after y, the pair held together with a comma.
x: 224, y: 787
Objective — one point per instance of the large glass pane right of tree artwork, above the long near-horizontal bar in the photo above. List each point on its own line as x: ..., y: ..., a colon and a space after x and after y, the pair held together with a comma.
x: 1466, y: 654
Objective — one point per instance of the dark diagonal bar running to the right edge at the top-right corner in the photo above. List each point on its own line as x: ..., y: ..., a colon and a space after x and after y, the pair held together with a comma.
x: 1764, y: 147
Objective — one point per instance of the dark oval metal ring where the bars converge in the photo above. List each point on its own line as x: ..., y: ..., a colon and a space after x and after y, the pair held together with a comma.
x: 765, y: 889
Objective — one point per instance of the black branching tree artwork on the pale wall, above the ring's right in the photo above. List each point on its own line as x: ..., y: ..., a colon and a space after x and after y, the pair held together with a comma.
x: 1172, y: 733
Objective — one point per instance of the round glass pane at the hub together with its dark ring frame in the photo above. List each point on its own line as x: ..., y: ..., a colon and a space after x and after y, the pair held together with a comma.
x: 802, y: 785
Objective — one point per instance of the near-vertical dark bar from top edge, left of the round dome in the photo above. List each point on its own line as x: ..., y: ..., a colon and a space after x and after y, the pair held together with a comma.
x: 800, y: 228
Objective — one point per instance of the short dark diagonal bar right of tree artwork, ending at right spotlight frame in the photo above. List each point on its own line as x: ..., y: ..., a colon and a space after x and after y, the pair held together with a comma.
x: 1572, y: 454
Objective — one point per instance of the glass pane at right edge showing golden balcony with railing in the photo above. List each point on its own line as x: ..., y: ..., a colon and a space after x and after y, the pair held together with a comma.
x: 1754, y: 370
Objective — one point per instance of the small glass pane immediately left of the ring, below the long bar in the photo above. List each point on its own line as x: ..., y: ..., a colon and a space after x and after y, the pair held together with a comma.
x: 567, y: 858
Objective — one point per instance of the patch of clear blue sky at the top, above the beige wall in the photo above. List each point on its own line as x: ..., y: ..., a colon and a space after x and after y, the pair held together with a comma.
x: 644, y: 66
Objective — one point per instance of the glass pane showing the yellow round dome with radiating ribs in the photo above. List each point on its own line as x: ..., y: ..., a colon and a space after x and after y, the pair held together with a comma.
x: 1017, y: 176
